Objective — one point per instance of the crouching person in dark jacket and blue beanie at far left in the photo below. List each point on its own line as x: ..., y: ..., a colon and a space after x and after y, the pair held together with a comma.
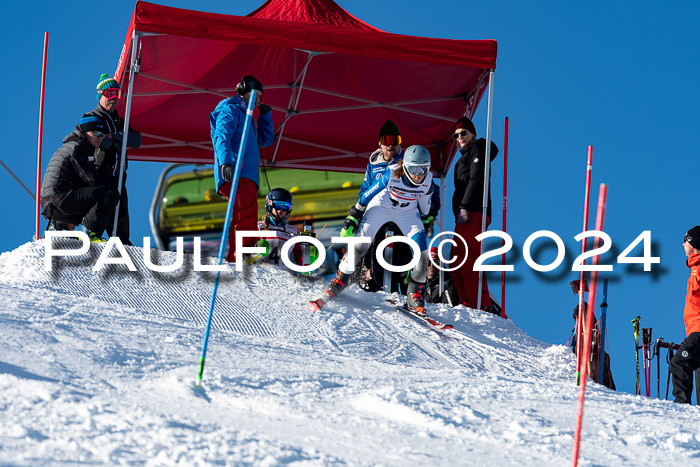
x: 72, y: 191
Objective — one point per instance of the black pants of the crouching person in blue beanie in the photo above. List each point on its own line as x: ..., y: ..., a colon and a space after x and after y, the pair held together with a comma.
x: 94, y: 205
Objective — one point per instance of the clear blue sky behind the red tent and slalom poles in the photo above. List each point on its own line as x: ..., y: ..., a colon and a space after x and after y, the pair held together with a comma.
x: 621, y: 76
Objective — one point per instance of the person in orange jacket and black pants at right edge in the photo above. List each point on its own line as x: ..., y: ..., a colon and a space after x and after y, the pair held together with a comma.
x: 687, y: 359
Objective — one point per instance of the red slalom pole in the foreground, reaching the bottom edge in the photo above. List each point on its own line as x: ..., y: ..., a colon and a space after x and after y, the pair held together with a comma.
x: 600, y: 218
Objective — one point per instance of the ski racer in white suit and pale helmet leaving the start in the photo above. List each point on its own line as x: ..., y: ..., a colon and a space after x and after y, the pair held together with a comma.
x: 401, y: 195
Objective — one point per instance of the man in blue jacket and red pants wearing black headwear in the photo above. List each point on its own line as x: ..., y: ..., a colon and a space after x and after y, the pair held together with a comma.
x: 226, y: 132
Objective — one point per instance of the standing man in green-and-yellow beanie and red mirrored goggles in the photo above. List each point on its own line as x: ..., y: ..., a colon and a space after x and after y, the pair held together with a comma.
x: 108, y: 96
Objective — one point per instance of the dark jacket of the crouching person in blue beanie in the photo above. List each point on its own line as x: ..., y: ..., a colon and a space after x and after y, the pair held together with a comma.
x: 71, y: 167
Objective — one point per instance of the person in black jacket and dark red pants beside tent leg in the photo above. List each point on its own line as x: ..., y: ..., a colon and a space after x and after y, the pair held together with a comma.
x: 467, y: 202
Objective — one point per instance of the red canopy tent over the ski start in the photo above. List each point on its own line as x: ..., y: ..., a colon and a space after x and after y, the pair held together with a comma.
x: 331, y: 79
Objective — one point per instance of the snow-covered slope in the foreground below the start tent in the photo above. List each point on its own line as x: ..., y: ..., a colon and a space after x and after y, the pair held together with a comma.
x: 98, y: 368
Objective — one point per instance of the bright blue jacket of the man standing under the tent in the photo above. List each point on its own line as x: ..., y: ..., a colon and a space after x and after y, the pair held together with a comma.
x: 226, y: 123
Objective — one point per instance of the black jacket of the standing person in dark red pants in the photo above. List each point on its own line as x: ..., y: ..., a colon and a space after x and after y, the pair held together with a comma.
x: 469, y: 178
